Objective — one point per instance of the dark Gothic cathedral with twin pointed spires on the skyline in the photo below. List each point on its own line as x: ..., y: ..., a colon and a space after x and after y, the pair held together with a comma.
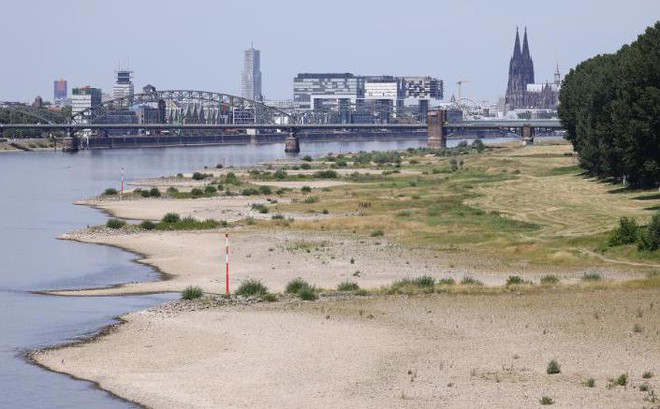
x: 522, y: 92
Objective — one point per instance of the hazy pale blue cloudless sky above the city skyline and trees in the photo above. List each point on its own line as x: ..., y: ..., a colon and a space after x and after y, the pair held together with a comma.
x: 198, y: 44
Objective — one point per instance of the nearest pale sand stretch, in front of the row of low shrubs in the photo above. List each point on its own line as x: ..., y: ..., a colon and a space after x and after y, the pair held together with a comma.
x: 412, y: 352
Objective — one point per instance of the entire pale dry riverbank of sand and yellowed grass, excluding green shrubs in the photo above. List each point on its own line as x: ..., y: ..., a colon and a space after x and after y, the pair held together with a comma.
x: 442, y: 350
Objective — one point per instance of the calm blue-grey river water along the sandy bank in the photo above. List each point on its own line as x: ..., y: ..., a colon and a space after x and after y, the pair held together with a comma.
x: 38, y: 190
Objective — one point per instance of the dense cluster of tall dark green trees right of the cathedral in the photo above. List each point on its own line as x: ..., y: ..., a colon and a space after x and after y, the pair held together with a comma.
x: 610, y: 108
